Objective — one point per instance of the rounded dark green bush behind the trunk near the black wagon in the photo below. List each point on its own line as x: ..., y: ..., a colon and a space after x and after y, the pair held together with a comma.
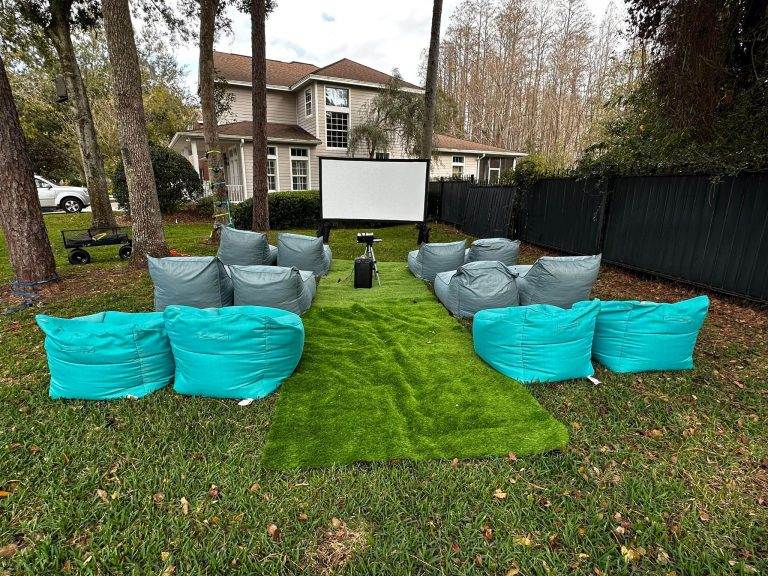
x: 175, y: 178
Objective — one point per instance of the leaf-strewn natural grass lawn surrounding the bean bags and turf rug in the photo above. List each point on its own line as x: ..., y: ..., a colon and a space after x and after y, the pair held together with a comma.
x: 664, y: 473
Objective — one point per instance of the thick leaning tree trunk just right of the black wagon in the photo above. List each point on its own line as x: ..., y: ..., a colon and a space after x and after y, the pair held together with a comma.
x: 148, y: 237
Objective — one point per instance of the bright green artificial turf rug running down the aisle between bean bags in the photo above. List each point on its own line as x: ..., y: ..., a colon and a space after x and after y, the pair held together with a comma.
x: 388, y: 374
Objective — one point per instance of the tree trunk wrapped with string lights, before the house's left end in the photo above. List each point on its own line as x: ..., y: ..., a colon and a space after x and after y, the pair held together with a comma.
x: 208, y: 11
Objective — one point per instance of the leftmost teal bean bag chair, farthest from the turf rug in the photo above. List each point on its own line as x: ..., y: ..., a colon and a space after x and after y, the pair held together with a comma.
x: 108, y: 355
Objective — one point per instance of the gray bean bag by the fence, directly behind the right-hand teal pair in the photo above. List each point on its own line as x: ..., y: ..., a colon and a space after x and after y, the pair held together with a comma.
x: 558, y: 280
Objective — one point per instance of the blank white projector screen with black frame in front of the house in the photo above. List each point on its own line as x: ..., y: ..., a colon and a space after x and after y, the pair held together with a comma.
x: 362, y: 189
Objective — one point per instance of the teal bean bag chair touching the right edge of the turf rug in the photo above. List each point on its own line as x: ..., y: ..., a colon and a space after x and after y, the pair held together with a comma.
x: 537, y: 343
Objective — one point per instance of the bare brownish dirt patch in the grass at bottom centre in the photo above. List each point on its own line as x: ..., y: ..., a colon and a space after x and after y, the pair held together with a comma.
x: 337, y: 546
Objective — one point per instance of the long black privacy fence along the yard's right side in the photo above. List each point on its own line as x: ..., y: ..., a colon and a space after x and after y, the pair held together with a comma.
x: 696, y: 229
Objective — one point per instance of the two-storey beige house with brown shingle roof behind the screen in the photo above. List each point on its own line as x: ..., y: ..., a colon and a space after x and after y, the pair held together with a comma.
x: 310, y: 111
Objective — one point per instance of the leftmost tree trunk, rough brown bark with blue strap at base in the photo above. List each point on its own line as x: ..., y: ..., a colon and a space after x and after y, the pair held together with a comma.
x: 22, y: 221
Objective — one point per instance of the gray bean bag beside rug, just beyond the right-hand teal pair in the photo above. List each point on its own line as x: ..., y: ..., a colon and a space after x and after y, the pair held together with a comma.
x: 477, y: 286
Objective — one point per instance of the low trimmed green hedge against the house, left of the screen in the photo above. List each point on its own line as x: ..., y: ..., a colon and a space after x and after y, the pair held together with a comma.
x: 300, y: 209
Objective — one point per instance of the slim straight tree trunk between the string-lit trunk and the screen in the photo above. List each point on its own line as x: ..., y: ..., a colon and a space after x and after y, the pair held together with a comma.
x: 259, y: 94
